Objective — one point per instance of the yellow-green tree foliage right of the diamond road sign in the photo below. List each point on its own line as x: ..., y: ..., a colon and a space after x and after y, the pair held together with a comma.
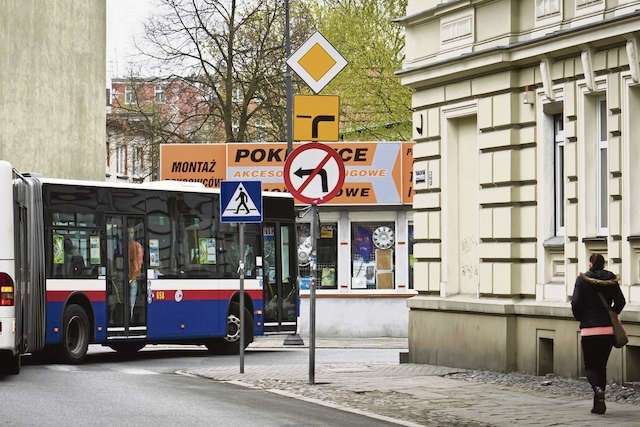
x: 373, y: 103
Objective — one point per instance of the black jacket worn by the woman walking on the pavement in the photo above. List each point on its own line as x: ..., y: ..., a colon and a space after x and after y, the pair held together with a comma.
x: 587, y: 306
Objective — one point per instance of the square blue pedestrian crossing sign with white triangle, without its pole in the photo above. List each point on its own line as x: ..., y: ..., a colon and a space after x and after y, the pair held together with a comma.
x: 241, y: 201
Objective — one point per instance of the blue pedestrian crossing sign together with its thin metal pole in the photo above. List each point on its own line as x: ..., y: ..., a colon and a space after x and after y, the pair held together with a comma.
x: 241, y: 202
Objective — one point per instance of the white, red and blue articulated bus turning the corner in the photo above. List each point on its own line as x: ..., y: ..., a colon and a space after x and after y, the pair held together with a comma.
x: 126, y: 265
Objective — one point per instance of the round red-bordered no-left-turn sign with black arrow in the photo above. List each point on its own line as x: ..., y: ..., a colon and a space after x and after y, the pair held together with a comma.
x: 314, y: 173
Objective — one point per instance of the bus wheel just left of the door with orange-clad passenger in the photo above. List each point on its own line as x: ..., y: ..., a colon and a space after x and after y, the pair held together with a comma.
x: 75, y: 334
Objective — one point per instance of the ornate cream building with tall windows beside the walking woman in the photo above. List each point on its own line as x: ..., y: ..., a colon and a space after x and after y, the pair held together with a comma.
x: 525, y: 162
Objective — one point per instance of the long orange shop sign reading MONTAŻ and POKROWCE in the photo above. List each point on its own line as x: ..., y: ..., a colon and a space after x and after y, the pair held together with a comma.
x: 376, y: 172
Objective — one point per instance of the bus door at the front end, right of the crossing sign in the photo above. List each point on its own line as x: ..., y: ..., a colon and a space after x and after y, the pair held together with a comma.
x: 279, y: 278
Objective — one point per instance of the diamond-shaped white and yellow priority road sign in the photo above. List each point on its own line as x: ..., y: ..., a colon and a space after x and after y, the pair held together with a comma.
x: 316, y: 62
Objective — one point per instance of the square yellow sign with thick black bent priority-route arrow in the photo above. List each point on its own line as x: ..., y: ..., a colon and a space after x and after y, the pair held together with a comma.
x: 315, y: 118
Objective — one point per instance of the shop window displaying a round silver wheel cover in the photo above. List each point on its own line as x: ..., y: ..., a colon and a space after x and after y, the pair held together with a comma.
x: 372, y: 255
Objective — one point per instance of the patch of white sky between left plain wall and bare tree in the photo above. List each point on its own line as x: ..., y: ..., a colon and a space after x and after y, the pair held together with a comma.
x: 125, y: 23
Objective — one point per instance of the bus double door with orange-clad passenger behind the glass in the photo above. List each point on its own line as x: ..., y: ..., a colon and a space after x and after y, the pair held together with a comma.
x: 126, y: 277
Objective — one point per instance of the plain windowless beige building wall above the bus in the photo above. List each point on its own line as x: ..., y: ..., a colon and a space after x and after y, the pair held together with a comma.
x: 52, y: 96
